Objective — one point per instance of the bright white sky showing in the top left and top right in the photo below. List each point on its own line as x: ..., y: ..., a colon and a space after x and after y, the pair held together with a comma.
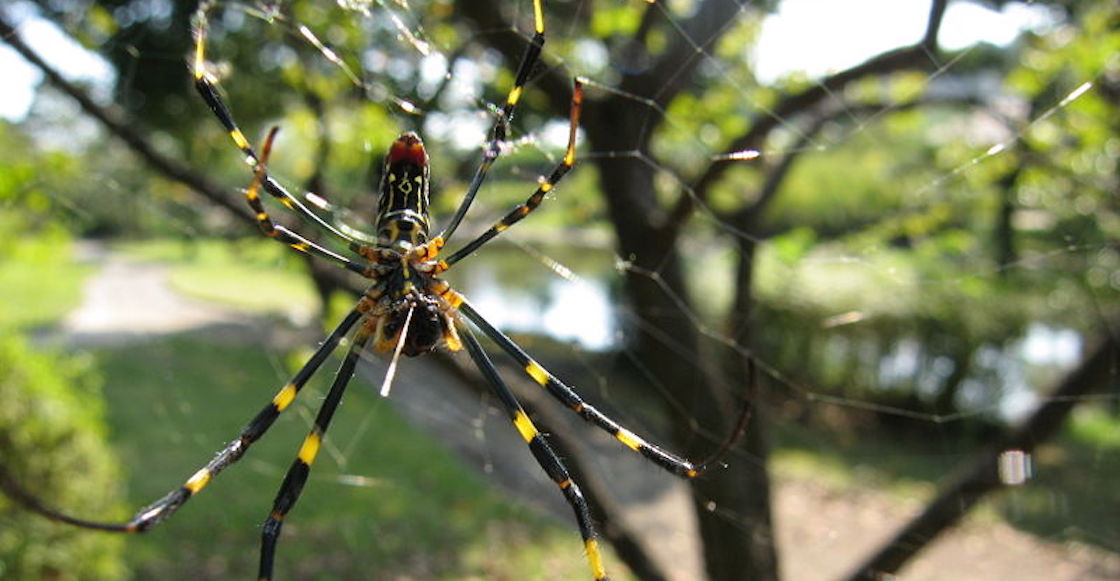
x: 804, y: 35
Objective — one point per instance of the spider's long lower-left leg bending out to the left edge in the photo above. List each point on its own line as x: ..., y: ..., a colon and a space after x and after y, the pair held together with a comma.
x: 166, y: 507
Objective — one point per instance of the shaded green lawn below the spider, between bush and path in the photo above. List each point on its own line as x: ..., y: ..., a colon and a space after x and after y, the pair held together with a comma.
x: 417, y: 513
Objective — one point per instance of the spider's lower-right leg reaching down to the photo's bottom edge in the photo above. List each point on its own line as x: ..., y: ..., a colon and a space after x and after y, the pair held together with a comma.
x: 543, y: 453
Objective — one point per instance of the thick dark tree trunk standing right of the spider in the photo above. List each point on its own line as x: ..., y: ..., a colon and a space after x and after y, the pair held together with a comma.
x: 729, y: 503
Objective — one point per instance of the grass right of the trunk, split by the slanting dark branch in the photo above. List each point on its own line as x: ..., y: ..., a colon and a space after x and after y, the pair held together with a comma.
x: 1071, y: 498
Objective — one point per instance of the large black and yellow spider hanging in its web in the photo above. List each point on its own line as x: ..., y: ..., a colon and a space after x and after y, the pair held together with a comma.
x: 406, y: 310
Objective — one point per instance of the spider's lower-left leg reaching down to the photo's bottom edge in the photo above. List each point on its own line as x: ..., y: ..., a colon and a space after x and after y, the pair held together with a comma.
x: 301, y: 468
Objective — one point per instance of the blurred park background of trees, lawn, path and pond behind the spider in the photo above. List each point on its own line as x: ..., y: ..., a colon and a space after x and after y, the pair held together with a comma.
x: 892, y: 228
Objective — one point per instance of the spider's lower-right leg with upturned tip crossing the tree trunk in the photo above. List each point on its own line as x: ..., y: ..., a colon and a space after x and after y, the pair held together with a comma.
x: 568, y: 397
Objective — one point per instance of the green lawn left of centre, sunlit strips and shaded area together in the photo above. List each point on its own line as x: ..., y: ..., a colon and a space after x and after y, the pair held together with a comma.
x: 402, y: 507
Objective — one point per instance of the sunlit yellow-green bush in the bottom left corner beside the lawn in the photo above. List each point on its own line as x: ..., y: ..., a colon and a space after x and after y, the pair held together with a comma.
x: 53, y: 439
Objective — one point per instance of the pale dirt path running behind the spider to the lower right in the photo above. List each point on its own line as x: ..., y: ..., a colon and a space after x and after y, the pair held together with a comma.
x: 823, y: 533
